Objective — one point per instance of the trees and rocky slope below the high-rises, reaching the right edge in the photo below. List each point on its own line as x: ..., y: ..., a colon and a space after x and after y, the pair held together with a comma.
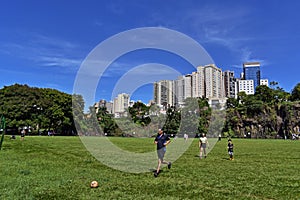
x: 269, y: 113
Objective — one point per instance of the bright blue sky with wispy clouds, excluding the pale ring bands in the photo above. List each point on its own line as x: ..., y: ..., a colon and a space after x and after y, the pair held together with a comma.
x: 43, y: 43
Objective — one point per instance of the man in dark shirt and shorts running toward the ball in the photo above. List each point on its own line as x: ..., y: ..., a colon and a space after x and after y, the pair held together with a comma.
x: 161, y: 141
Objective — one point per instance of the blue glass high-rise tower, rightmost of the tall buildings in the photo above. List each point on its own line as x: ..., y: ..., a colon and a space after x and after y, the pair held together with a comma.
x: 252, y: 72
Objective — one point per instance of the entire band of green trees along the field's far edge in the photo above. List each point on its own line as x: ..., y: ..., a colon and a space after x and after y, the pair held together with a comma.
x: 270, y: 112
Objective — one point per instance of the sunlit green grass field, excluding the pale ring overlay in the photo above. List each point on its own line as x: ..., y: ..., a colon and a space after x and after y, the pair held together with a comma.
x: 61, y: 168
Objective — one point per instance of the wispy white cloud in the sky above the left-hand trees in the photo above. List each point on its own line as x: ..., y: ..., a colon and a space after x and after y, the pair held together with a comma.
x: 45, y: 50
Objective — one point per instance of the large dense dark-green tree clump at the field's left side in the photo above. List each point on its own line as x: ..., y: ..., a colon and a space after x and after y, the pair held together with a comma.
x: 38, y: 110
